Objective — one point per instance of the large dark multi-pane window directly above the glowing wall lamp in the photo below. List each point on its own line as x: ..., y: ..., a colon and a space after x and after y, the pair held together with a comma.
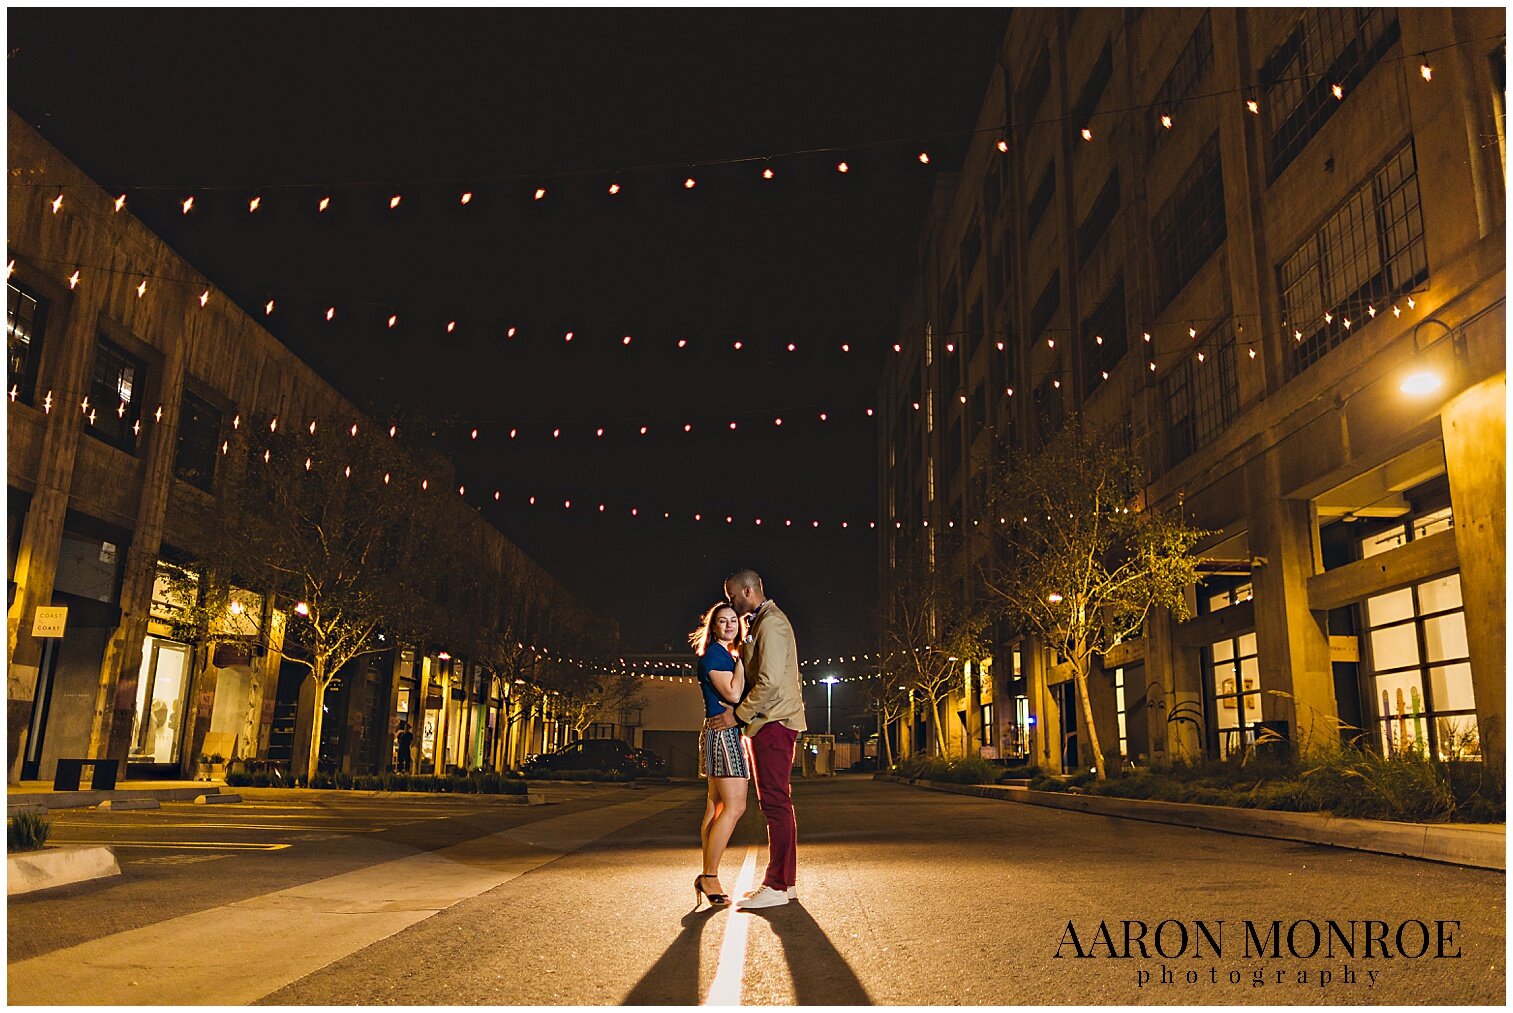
x: 1370, y: 252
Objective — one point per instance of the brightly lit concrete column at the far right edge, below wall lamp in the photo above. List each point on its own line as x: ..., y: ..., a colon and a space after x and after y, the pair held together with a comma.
x: 1476, y: 432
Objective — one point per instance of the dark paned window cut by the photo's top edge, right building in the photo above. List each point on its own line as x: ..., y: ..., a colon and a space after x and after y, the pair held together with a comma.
x: 1329, y: 46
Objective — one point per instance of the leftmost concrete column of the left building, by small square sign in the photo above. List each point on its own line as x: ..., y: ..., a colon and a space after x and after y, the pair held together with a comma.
x: 43, y: 530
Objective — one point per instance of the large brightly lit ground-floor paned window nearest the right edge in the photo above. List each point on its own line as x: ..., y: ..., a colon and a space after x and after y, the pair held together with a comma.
x: 1420, y: 658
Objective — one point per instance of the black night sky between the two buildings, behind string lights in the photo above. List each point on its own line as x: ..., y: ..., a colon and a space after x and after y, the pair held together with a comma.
x: 291, y: 107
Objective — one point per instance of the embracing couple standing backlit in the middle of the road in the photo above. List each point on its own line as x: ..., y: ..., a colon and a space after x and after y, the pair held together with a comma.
x: 754, y: 714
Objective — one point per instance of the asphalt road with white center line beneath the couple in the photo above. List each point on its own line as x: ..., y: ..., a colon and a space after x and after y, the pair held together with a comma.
x: 906, y: 897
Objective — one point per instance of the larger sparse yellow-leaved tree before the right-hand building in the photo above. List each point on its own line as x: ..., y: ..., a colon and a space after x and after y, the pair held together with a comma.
x: 1084, y: 562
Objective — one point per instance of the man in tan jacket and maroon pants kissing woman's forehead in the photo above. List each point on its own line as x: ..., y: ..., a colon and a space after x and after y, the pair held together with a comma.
x: 771, y: 717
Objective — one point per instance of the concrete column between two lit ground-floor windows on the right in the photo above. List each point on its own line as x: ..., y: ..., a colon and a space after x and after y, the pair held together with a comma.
x: 1291, y: 640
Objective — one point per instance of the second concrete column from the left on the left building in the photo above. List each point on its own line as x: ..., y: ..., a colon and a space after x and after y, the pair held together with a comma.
x: 120, y: 668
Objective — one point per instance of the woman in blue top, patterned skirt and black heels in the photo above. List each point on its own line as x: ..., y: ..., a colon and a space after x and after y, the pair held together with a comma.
x: 722, y: 677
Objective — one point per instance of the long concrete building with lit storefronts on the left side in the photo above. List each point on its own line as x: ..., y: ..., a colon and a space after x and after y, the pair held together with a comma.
x: 123, y: 391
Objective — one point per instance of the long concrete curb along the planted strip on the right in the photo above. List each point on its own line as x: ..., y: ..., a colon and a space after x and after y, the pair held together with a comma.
x: 1476, y: 846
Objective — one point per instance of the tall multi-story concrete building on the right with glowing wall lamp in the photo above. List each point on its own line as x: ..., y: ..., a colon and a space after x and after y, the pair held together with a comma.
x: 1266, y: 250
